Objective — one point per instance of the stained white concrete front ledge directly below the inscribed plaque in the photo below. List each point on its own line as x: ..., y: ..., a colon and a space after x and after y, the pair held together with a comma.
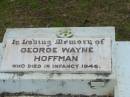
x: 52, y: 84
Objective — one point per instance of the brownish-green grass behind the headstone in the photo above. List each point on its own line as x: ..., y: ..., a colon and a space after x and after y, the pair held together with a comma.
x: 62, y: 13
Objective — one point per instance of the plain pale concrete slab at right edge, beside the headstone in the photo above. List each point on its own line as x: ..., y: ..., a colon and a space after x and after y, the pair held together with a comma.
x: 123, y: 69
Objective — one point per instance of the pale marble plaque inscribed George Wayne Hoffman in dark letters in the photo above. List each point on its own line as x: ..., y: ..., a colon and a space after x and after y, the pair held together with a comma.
x: 58, y: 54
